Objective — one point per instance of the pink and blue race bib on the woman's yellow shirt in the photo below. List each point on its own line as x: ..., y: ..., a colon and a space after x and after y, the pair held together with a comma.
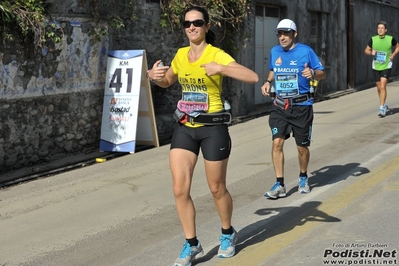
x: 193, y: 102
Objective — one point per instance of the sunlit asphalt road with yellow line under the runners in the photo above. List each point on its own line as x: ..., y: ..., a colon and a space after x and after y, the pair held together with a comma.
x: 121, y: 212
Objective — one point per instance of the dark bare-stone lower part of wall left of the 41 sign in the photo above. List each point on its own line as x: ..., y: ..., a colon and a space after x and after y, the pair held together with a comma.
x: 43, y: 129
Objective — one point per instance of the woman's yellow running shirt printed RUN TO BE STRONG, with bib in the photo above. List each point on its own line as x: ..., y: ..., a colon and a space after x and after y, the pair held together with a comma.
x: 200, y: 93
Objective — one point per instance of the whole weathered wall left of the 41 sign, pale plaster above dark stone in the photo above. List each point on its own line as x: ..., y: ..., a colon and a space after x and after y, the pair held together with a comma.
x: 51, y: 99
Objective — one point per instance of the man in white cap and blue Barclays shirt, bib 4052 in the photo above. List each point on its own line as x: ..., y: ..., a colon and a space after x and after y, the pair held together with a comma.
x: 293, y: 66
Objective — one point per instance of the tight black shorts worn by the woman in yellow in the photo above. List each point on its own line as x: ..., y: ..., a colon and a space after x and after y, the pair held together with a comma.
x: 214, y: 140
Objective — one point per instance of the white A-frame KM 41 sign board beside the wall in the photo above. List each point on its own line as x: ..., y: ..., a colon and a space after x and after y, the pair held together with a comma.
x: 128, y: 113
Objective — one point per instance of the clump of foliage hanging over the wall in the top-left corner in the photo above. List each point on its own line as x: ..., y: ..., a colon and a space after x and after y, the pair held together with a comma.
x: 27, y: 17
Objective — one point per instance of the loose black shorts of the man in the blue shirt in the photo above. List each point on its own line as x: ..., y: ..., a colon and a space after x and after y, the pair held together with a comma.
x: 296, y: 119
